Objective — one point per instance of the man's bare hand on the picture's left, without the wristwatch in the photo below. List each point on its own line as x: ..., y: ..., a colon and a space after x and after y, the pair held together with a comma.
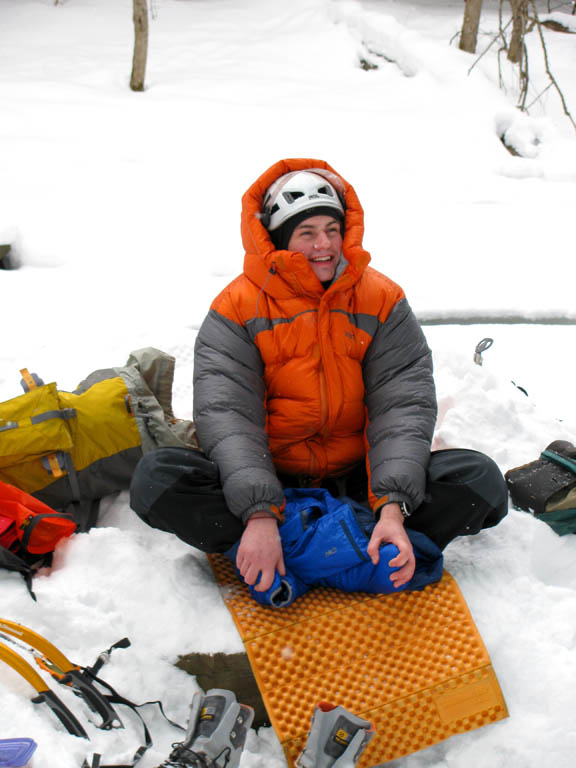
x: 260, y: 552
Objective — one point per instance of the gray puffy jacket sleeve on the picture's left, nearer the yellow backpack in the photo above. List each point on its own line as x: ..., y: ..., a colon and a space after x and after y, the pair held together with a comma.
x: 230, y: 416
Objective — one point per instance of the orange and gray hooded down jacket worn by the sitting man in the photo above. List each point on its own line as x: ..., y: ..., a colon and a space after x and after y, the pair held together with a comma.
x: 295, y: 379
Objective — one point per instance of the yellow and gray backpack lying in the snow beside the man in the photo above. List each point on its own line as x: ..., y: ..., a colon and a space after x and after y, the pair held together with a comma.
x: 69, y: 449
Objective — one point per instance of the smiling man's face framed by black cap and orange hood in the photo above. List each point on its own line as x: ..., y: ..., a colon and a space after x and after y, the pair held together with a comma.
x: 319, y: 239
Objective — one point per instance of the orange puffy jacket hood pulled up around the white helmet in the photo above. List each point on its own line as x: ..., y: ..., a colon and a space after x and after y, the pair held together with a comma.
x: 281, y: 273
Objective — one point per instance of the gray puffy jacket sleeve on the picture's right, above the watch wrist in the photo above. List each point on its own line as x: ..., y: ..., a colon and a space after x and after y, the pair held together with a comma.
x: 401, y: 405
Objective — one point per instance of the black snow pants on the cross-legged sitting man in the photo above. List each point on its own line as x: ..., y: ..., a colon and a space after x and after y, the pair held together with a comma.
x: 178, y: 490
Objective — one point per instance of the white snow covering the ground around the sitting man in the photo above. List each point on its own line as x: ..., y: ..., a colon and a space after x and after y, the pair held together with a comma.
x: 124, y: 211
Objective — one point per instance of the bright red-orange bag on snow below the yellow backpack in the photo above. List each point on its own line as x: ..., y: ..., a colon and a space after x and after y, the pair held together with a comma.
x: 30, y: 525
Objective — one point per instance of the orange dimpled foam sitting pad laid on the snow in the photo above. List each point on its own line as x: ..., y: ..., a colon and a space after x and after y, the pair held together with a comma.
x: 412, y: 663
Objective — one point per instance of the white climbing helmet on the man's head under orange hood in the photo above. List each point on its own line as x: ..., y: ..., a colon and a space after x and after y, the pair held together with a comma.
x: 295, y: 192
